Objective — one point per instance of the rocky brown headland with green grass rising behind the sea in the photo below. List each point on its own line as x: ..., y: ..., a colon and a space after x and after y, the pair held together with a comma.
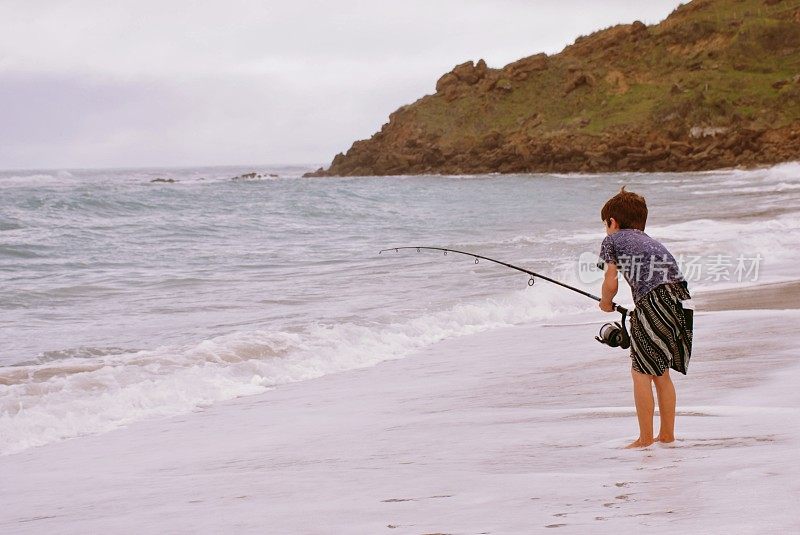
x: 715, y: 85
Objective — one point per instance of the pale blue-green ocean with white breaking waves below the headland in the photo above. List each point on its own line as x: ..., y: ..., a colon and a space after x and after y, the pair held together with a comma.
x: 123, y: 299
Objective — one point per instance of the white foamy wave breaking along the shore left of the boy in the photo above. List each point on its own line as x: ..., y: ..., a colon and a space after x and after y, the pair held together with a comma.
x: 69, y: 397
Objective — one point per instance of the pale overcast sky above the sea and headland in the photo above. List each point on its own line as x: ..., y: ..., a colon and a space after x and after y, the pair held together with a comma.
x: 170, y: 83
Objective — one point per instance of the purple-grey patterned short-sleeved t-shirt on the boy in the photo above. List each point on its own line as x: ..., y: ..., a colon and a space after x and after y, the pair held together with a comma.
x: 644, y: 262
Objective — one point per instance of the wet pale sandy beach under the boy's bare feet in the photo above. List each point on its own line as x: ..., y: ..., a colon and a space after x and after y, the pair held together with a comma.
x: 462, y: 437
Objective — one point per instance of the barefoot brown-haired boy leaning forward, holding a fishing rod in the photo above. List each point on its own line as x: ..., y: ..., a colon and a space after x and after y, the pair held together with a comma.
x: 661, y: 330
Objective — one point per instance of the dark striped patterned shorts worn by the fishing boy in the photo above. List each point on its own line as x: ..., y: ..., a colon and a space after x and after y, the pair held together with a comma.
x: 661, y: 330
